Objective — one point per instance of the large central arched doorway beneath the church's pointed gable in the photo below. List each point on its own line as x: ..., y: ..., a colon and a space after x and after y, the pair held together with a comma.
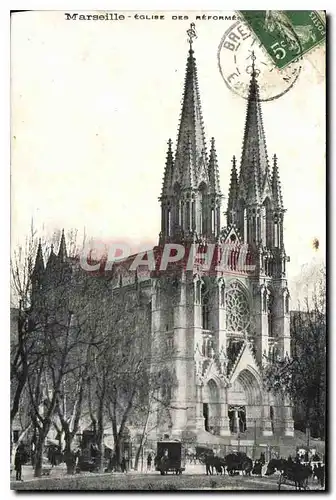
x: 244, y: 402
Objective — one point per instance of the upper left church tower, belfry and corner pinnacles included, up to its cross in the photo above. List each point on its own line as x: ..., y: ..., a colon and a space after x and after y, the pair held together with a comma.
x: 190, y: 197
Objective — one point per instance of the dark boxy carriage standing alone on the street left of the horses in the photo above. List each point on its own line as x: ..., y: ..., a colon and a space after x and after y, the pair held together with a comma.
x: 170, y: 457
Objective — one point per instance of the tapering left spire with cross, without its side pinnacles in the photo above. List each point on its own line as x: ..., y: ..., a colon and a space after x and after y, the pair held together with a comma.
x: 191, y: 128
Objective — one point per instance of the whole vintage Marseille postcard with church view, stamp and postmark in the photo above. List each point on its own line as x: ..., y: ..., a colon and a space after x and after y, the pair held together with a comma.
x: 168, y: 238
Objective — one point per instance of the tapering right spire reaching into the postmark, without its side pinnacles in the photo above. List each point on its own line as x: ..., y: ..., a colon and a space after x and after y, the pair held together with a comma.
x: 254, y: 144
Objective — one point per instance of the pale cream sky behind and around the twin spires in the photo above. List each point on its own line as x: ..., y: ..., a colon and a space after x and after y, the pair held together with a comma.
x: 93, y: 104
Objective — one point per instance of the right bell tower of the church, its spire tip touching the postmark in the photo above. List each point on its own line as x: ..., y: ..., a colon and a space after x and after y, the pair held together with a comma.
x: 255, y: 209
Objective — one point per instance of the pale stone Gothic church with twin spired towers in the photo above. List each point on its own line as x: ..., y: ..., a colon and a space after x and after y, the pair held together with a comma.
x: 222, y: 322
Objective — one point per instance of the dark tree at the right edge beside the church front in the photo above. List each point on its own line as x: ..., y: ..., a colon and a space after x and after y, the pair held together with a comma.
x: 303, y: 376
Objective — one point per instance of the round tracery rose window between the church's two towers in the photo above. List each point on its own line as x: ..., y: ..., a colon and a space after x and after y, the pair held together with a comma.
x: 237, y: 309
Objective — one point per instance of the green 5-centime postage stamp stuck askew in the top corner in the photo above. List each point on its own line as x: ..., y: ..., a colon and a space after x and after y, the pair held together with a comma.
x: 286, y: 35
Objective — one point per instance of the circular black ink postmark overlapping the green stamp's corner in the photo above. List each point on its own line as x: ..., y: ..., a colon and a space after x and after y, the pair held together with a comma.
x: 237, y: 49
